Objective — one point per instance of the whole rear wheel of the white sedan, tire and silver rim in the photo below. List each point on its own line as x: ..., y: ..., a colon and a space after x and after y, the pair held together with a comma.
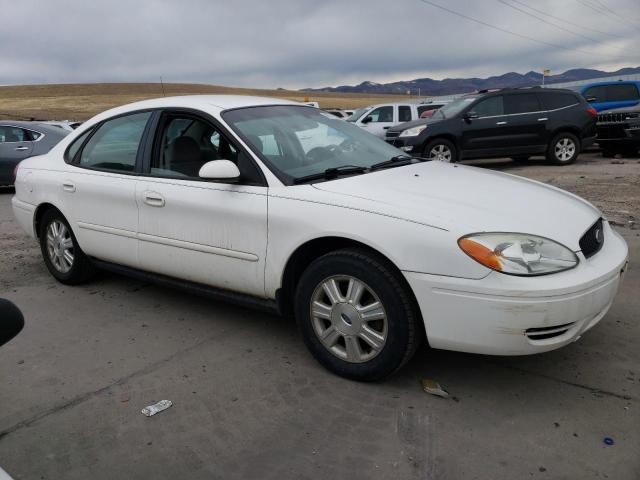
x: 62, y: 255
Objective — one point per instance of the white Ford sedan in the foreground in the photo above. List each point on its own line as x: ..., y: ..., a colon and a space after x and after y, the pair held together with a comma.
x: 372, y: 251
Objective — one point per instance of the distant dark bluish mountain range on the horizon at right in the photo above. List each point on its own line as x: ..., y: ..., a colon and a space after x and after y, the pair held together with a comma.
x: 449, y: 86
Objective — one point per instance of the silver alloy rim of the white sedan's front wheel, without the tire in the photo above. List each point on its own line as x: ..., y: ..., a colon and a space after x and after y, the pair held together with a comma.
x: 348, y: 318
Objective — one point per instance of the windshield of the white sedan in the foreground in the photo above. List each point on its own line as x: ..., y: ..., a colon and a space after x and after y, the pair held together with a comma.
x: 297, y: 141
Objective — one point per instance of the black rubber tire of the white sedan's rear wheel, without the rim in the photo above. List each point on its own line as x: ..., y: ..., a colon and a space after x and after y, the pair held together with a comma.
x: 81, y: 269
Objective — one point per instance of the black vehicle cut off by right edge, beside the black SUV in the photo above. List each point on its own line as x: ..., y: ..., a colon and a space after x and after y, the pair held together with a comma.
x: 619, y: 131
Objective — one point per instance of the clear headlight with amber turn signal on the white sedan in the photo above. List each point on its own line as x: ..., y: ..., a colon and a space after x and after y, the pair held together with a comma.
x: 518, y: 253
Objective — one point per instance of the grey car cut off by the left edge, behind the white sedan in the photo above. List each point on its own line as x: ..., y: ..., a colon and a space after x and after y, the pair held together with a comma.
x: 20, y: 140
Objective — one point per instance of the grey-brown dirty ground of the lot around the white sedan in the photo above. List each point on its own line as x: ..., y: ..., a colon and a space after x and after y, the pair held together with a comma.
x: 250, y: 402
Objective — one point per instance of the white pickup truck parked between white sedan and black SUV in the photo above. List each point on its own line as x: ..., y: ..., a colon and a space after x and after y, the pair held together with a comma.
x: 377, y: 119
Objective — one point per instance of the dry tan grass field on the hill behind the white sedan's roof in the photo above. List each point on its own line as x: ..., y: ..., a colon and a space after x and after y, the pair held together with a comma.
x: 81, y: 101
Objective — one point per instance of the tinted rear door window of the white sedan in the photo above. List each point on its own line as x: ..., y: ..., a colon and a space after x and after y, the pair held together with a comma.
x: 115, y: 144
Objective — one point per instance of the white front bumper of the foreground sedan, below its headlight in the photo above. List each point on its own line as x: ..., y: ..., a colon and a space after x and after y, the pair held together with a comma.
x: 508, y: 315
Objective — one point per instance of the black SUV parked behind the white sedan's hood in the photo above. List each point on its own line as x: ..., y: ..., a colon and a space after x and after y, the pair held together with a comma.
x: 513, y: 123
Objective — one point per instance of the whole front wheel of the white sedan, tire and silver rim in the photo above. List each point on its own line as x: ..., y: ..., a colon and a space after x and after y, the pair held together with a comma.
x: 355, y: 315
